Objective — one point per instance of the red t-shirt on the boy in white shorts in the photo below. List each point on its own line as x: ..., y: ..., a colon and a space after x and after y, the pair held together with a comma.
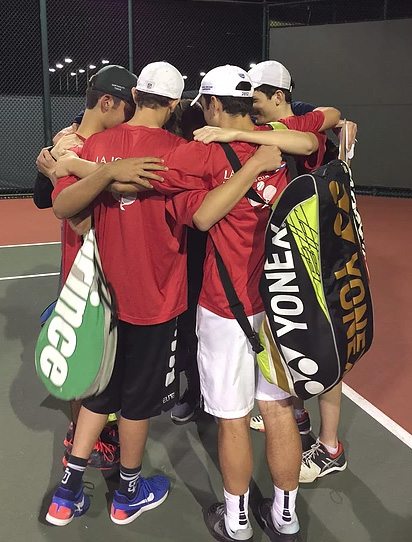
x: 194, y: 170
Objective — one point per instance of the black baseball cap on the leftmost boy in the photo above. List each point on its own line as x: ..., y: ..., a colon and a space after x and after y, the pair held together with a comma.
x: 114, y: 80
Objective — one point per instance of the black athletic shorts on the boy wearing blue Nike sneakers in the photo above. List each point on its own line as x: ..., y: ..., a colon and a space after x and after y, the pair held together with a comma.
x: 144, y: 380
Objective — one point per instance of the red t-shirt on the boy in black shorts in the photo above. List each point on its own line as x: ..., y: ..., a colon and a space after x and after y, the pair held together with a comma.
x: 142, y: 249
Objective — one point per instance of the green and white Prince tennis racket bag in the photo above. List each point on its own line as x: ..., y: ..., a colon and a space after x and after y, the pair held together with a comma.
x: 76, y: 348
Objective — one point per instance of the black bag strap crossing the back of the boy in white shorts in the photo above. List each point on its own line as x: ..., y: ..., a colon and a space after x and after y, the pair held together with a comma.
x: 236, y: 306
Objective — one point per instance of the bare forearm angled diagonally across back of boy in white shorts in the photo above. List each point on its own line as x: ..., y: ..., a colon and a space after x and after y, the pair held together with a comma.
x: 221, y: 200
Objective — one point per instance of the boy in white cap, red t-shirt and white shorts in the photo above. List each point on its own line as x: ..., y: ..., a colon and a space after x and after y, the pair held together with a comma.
x: 196, y: 175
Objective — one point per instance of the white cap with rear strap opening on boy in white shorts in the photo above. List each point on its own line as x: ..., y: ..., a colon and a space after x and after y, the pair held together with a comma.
x: 223, y: 80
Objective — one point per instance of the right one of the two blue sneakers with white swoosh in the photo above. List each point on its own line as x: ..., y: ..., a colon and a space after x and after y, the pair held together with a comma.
x: 150, y: 494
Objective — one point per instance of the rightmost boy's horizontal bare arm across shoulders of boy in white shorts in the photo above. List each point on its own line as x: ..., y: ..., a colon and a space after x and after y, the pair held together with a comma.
x: 289, y: 141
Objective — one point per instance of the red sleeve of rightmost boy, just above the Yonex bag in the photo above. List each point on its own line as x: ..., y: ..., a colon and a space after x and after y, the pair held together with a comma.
x: 310, y: 122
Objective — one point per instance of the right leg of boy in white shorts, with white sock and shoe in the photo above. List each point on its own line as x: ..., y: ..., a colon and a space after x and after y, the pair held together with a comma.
x: 284, y: 454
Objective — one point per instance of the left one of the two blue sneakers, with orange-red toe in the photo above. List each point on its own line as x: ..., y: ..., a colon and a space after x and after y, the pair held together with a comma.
x: 66, y: 505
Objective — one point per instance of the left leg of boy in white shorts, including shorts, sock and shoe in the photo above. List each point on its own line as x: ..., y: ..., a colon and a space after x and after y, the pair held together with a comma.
x: 227, y: 380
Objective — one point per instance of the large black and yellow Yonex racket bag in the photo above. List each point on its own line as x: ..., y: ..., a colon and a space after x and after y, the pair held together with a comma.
x: 315, y: 288
